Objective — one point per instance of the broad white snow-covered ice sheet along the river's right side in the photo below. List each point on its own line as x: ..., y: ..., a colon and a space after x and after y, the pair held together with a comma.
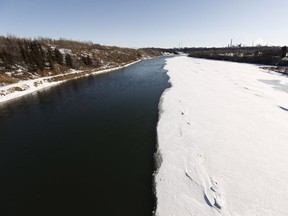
x: 223, y: 140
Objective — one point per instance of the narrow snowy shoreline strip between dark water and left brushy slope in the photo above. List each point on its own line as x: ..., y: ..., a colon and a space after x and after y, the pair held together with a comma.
x: 12, y: 91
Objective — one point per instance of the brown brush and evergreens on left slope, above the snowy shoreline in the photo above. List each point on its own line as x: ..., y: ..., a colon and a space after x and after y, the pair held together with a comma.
x: 26, y: 58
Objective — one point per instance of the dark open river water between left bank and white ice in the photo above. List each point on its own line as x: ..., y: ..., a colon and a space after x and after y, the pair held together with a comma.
x: 84, y: 147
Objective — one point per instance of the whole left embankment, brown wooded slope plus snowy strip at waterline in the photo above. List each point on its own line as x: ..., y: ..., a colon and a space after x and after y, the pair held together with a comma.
x: 28, y: 65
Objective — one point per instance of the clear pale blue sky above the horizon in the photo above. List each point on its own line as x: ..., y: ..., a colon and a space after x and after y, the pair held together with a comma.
x: 158, y: 23
